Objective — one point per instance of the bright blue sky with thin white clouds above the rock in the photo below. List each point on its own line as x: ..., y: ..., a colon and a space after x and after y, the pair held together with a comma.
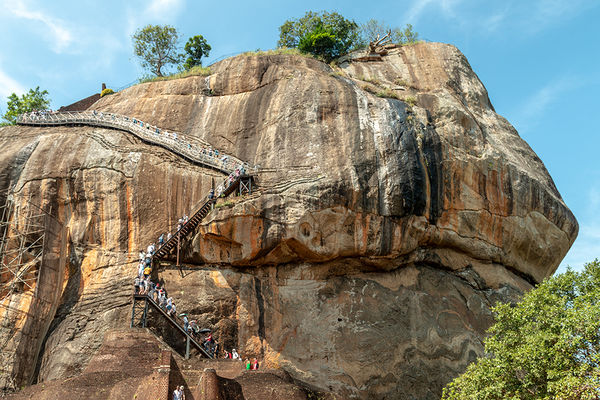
x: 539, y: 59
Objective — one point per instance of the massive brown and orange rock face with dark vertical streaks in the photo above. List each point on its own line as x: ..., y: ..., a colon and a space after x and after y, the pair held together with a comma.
x: 382, y: 231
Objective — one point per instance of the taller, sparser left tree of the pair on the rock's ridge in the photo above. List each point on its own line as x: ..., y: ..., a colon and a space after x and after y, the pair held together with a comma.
x: 157, y: 47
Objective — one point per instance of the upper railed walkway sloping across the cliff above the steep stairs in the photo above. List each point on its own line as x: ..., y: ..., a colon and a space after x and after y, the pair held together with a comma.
x: 185, y: 146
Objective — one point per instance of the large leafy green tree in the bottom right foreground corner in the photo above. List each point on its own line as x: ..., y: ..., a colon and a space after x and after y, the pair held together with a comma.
x: 545, y: 347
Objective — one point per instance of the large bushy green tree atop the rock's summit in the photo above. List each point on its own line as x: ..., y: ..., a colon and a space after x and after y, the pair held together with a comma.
x: 330, y: 28
